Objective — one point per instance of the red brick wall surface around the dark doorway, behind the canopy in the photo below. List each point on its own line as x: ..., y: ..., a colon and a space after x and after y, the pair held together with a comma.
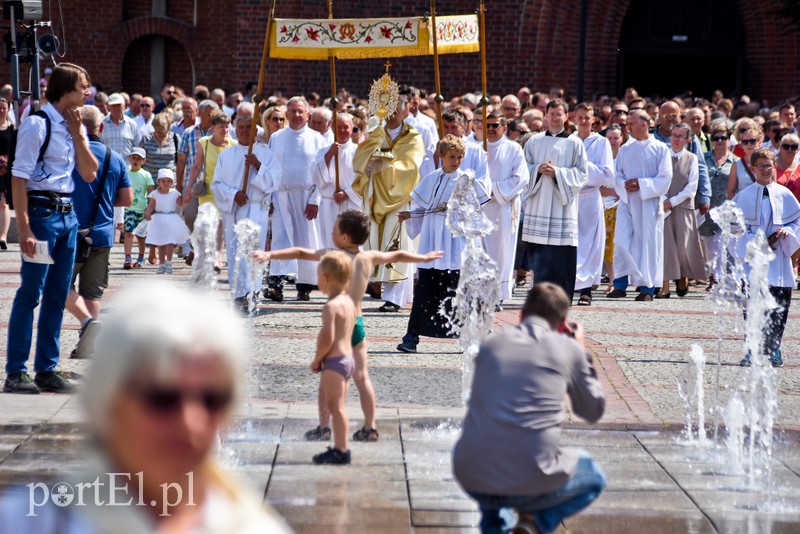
x: 531, y: 43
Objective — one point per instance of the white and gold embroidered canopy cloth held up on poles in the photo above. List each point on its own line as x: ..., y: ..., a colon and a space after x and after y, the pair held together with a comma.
x: 317, y: 39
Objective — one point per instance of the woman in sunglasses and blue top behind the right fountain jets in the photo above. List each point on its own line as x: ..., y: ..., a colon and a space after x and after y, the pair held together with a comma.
x: 719, y: 161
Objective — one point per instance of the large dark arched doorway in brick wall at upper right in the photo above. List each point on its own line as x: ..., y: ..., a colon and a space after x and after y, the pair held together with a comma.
x: 668, y: 48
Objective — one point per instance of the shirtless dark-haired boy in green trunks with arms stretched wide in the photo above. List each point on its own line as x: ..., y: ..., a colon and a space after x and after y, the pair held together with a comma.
x: 349, y: 233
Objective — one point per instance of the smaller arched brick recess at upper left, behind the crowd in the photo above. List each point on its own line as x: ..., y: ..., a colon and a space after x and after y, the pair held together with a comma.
x: 153, y: 60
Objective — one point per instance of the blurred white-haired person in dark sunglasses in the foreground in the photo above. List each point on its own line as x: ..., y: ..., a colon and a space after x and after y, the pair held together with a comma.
x: 167, y: 373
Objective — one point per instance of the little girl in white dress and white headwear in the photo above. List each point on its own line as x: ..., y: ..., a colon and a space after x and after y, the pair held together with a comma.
x: 165, y: 227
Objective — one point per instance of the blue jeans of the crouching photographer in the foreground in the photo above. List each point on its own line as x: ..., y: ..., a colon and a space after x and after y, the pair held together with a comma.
x: 583, y: 487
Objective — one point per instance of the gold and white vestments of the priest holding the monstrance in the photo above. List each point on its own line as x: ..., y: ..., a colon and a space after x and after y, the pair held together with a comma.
x: 386, y: 173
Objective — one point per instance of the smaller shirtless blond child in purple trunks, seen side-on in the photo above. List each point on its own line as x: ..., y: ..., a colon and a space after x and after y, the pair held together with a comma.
x: 334, y: 357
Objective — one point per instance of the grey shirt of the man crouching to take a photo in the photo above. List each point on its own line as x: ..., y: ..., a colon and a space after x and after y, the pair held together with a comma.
x: 510, y: 443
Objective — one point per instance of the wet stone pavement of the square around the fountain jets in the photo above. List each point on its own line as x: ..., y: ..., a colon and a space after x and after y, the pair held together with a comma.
x: 403, y: 483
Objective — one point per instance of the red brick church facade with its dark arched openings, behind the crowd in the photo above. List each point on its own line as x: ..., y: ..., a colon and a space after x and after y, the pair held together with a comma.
x: 658, y: 47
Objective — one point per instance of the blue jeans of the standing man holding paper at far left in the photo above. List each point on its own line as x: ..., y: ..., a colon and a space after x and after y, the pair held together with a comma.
x: 50, y: 283
